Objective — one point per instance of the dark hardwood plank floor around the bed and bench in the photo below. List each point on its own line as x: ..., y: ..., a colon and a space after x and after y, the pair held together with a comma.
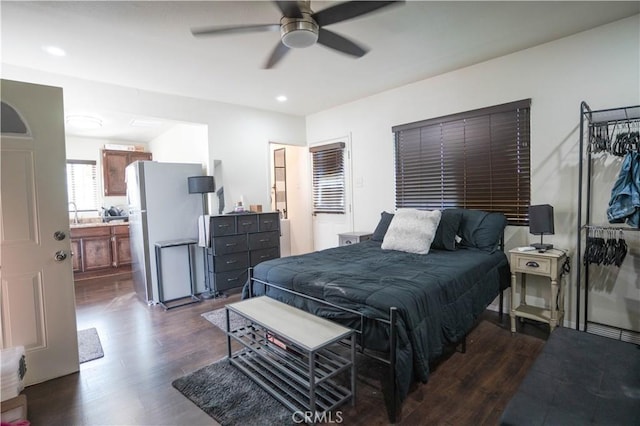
x: 146, y: 348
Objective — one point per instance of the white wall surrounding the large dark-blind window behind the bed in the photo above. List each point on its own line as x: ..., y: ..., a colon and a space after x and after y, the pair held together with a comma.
x: 601, y: 66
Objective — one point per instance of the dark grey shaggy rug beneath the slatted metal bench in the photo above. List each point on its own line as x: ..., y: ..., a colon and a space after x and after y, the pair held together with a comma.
x: 231, y: 398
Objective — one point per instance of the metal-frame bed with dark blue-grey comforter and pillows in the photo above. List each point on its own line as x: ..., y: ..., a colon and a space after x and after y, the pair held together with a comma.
x: 405, y: 304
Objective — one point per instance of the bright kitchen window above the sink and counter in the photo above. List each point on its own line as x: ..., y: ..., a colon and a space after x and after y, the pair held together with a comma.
x: 82, y: 186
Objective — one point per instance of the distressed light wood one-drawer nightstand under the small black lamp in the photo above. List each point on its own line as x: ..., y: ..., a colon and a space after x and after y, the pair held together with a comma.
x: 547, y: 264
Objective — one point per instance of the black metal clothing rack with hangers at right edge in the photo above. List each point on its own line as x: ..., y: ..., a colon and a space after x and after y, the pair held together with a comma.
x: 612, y: 131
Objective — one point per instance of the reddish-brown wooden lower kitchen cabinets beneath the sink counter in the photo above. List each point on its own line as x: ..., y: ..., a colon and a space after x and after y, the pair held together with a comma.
x: 102, y: 249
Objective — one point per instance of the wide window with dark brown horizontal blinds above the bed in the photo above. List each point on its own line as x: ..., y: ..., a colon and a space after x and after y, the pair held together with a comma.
x: 477, y: 160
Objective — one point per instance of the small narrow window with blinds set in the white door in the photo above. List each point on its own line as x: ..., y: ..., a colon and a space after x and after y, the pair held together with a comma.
x: 328, y: 178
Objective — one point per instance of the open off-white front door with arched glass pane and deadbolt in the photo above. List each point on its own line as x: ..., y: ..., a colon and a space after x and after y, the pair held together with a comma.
x: 37, y: 293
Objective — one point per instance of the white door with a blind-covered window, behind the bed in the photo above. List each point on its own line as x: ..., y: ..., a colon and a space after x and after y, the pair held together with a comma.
x: 327, y: 226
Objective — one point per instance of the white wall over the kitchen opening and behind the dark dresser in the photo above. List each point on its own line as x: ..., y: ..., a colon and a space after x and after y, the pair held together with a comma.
x: 237, y: 136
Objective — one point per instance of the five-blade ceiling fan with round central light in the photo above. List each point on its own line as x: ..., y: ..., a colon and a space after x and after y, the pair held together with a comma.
x: 301, y: 27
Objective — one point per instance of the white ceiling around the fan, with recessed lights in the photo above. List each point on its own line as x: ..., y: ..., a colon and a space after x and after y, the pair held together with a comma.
x: 148, y: 45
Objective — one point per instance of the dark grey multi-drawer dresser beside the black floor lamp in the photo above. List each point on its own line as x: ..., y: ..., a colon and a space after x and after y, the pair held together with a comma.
x: 240, y: 241
